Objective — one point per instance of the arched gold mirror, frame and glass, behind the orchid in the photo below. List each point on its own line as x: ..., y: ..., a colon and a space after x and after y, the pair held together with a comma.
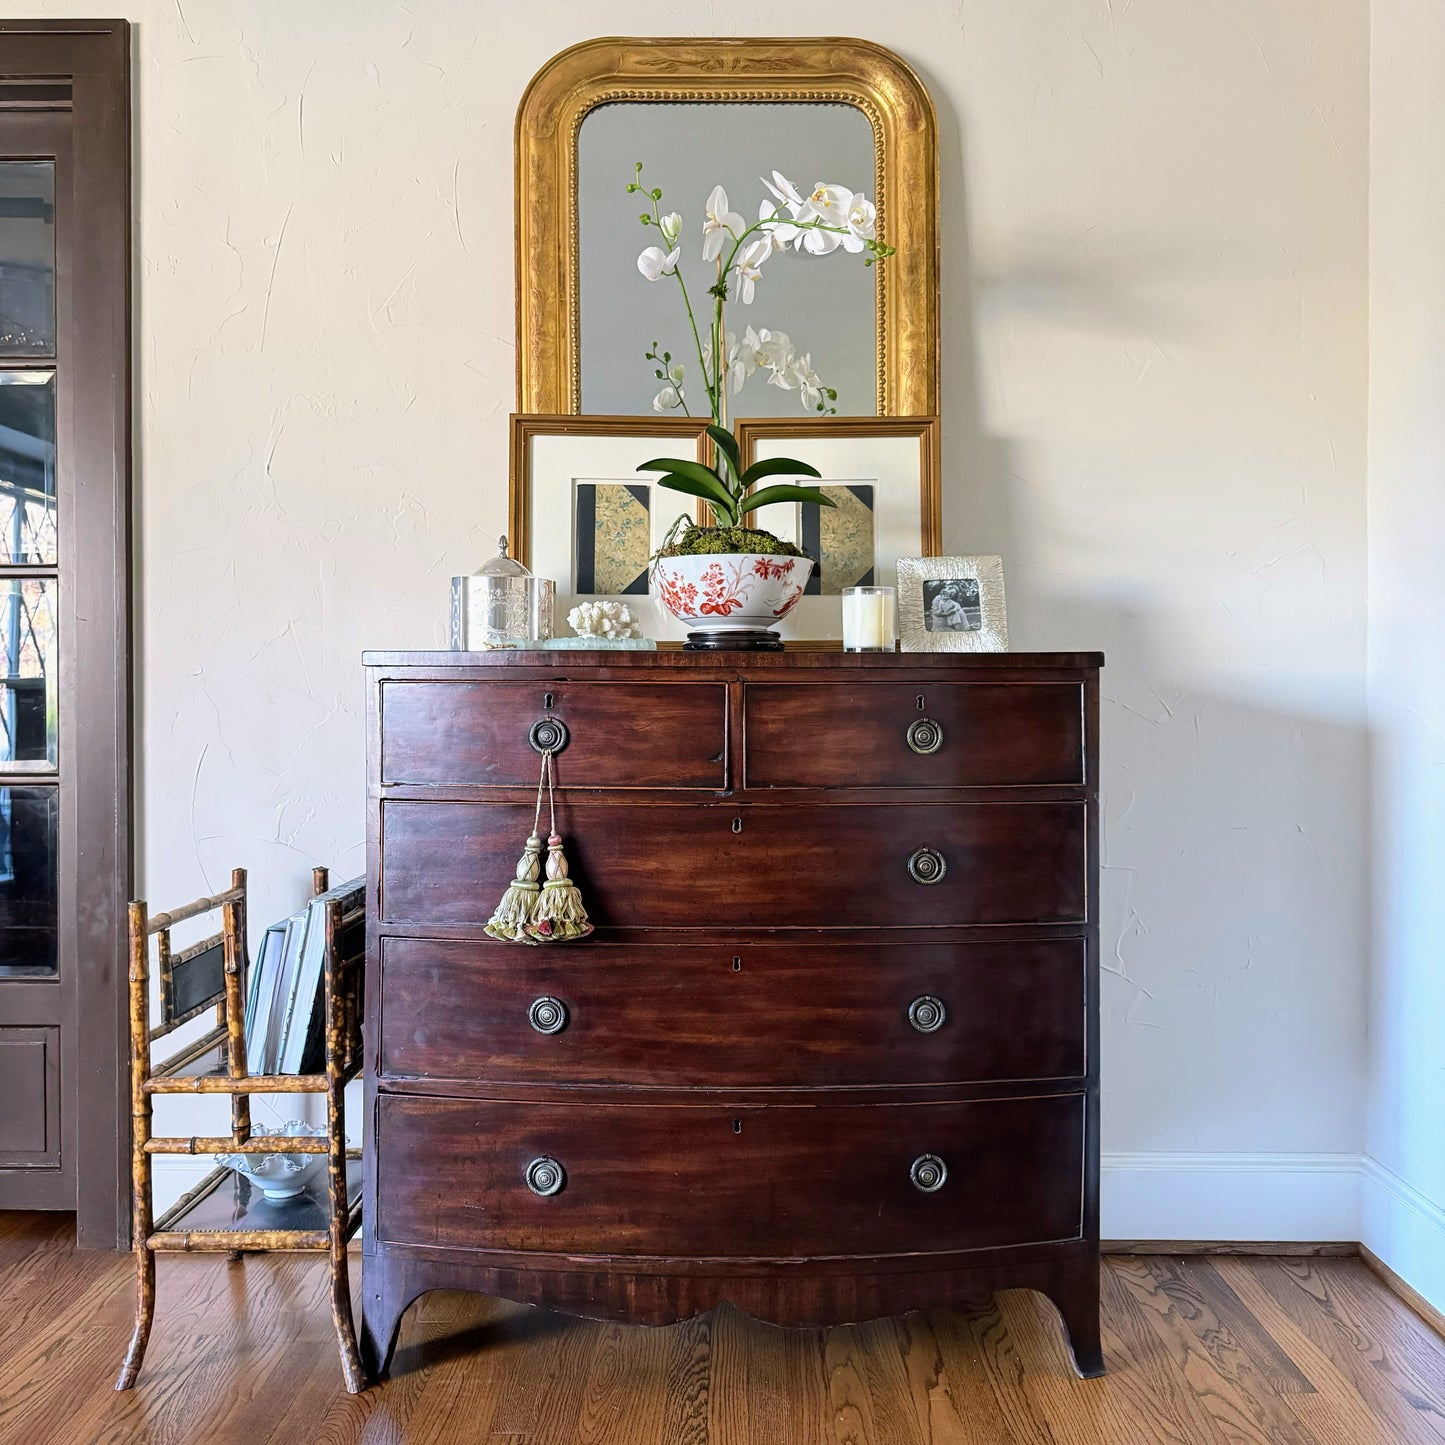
x: 703, y: 113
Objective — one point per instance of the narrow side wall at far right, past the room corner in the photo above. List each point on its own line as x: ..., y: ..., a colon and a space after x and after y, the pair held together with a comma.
x: 1405, y: 1177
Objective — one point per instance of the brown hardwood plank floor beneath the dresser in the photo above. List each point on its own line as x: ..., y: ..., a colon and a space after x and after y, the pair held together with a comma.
x: 1202, y: 1352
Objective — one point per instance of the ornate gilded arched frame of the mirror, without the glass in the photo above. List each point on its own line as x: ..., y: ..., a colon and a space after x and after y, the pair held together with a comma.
x: 830, y: 72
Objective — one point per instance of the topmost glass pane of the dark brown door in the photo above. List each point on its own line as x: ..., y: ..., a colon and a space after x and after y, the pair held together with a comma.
x: 27, y: 258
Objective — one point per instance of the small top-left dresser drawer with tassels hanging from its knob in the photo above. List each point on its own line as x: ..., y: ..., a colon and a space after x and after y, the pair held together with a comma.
x: 621, y: 735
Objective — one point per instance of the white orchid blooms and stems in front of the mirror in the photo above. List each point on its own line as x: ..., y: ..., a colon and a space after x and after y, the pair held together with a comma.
x: 829, y: 219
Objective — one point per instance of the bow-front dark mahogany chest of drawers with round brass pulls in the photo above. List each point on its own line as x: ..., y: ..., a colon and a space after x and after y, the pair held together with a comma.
x: 833, y: 1051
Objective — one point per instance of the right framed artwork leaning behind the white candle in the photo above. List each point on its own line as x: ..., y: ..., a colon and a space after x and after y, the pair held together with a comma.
x: 882, y: 476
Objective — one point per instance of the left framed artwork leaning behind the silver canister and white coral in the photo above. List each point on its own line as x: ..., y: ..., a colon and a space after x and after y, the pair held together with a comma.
x: 585, y: 517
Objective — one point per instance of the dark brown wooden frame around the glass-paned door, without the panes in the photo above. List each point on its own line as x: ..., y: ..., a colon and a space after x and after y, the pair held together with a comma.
x: 40, y: 60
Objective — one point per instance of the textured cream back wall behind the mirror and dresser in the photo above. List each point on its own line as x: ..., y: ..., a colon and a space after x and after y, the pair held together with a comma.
x: 1155, y: 371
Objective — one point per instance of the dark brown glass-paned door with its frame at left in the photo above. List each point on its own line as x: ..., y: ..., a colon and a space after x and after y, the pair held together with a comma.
x: 66, y: 621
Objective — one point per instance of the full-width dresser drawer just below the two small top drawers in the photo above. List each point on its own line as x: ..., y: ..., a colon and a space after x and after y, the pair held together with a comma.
x: 733, y: 866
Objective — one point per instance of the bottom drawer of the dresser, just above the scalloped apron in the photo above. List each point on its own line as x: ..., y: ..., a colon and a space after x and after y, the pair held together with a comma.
x: 772, y: 1181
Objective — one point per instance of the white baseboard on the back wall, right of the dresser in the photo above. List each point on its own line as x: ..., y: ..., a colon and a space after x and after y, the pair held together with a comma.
x: 1230, y: 1197
